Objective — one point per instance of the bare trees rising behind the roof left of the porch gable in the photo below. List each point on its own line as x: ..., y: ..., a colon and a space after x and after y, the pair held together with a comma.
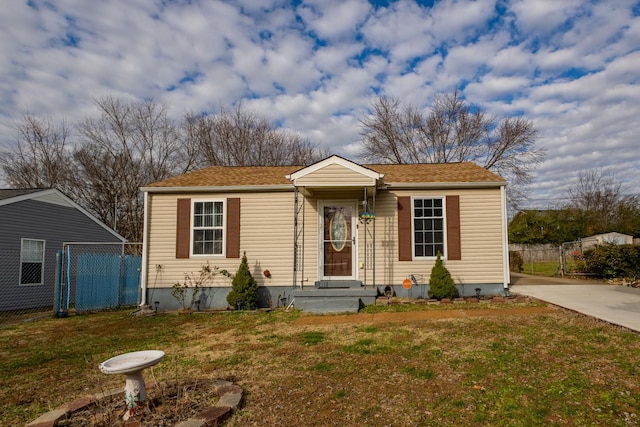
x: 240, y: 137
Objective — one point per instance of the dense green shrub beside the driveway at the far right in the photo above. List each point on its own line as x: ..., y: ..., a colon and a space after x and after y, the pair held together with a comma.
x: 613, y: 261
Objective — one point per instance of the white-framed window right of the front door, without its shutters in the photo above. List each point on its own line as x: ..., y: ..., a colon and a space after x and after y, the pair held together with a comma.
x: 428, y: 227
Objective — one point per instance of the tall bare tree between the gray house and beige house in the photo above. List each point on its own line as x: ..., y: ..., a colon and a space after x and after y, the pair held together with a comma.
x: 127, y: 146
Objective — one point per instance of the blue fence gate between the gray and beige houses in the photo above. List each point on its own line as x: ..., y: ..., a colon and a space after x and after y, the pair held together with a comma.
x: 98, y: 276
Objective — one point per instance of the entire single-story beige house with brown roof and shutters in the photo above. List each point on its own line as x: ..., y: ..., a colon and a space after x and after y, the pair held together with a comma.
x: 327, y: 233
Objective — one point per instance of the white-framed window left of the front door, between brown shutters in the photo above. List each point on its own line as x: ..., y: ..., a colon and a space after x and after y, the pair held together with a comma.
x: 208, y: 228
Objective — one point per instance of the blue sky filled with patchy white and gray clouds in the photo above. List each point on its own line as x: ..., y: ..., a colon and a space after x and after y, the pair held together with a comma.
x: 571, y: 66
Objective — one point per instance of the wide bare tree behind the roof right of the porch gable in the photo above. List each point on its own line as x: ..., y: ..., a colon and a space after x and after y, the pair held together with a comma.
x: 452, y: 131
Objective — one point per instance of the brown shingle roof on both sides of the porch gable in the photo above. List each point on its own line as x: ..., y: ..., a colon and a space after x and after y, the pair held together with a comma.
x: 224, y: 176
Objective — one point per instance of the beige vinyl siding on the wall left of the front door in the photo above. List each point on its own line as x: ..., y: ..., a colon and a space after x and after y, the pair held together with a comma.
x: 266, y: 234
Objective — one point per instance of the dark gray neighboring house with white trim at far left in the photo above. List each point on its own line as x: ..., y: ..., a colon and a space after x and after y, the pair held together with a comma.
x: 34, y: 224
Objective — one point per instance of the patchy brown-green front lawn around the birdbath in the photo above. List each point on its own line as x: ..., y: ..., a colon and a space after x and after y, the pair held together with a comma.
x: 542, y: 368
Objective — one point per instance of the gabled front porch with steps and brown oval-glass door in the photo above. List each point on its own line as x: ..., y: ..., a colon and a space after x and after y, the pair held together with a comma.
x: 340, y: 234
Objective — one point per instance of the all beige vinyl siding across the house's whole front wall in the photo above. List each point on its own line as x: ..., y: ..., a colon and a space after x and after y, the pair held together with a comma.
x: 266, y: 234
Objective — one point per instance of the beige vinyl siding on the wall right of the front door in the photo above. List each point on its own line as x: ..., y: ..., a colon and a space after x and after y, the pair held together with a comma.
x: 481, y: 238
